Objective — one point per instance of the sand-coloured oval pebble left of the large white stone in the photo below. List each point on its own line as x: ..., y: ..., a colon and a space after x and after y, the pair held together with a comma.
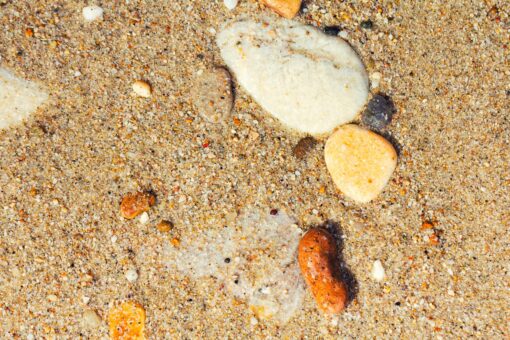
x: 212, y: 94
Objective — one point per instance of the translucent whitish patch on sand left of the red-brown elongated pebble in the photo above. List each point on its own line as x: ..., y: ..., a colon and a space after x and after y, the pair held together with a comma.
x: 256, y: 260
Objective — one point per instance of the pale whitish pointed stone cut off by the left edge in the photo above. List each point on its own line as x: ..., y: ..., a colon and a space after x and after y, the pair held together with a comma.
x: 18, y: 98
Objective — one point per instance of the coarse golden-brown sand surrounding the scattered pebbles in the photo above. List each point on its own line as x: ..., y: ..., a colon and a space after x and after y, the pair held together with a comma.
x: 440, y: 228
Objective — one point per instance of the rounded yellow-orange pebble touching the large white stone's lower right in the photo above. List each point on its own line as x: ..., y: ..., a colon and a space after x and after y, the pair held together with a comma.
x: 360, y: 162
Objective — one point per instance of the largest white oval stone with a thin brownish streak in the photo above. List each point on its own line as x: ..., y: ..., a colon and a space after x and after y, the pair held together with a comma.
x: 310, y: 81
